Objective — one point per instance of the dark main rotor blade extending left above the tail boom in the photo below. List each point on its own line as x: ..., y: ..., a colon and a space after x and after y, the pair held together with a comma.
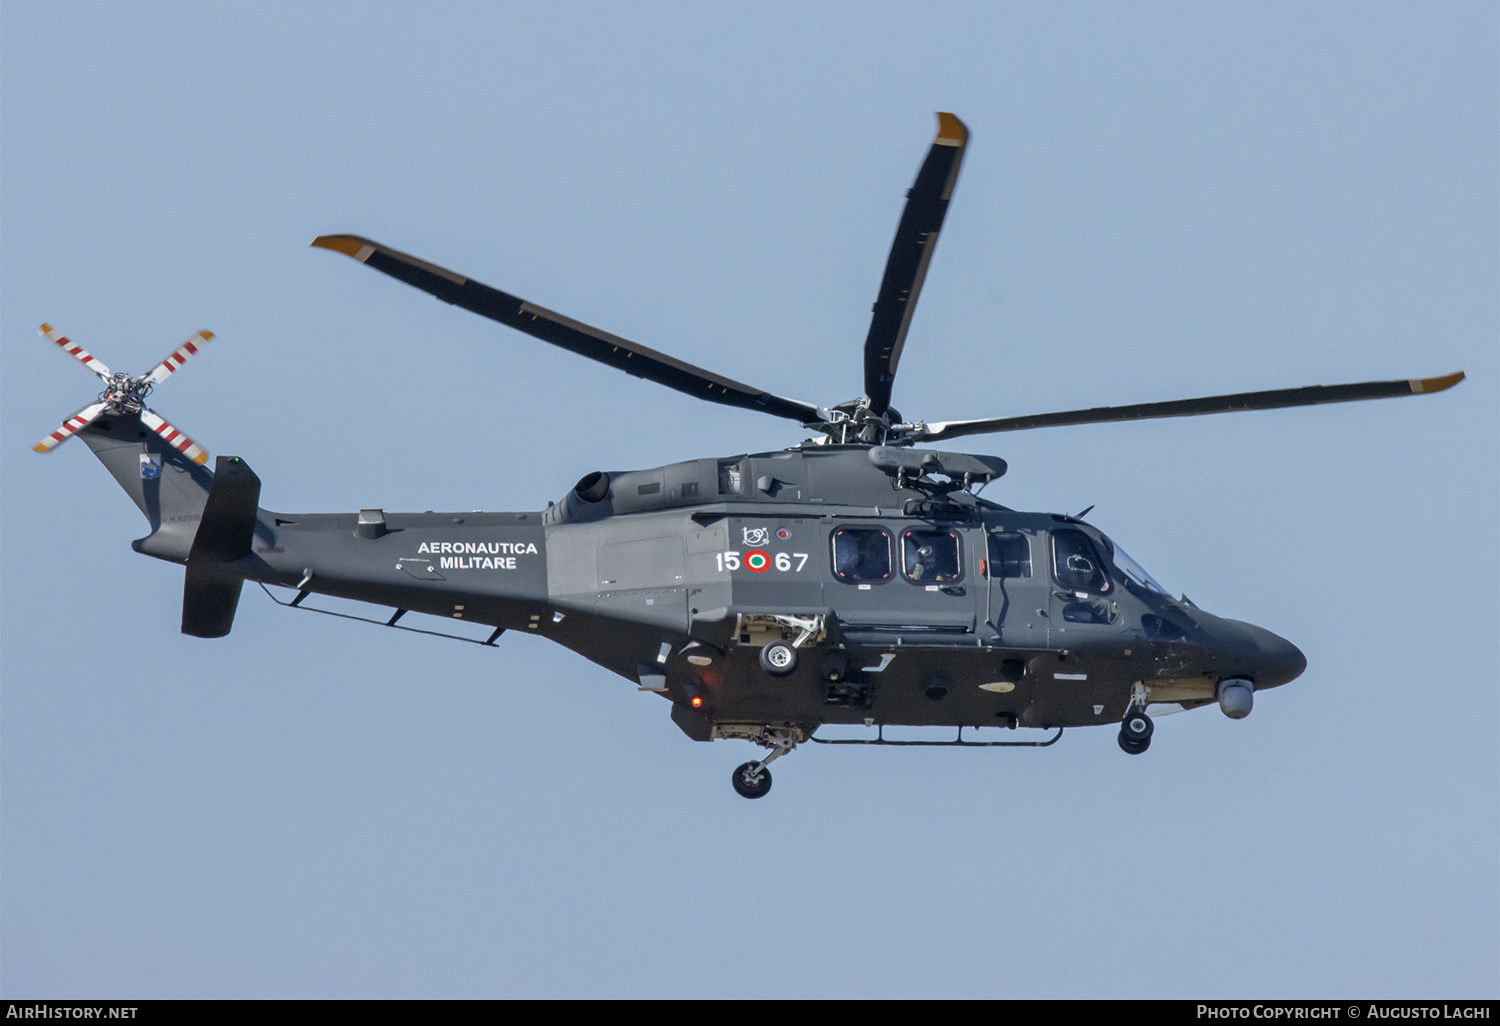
x: 565, y: 332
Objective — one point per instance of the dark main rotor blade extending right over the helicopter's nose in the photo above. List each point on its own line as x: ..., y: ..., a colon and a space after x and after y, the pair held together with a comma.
x: 1273, y: 400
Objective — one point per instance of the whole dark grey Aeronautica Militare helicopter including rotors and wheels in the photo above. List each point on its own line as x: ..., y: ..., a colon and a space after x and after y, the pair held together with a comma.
x: 854, y: 580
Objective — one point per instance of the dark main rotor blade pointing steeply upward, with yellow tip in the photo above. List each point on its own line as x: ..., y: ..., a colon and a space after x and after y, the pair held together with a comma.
x: 911, y: 253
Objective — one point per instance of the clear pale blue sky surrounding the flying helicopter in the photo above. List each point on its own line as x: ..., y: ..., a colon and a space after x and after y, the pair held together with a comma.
x: 1160, y: 200
